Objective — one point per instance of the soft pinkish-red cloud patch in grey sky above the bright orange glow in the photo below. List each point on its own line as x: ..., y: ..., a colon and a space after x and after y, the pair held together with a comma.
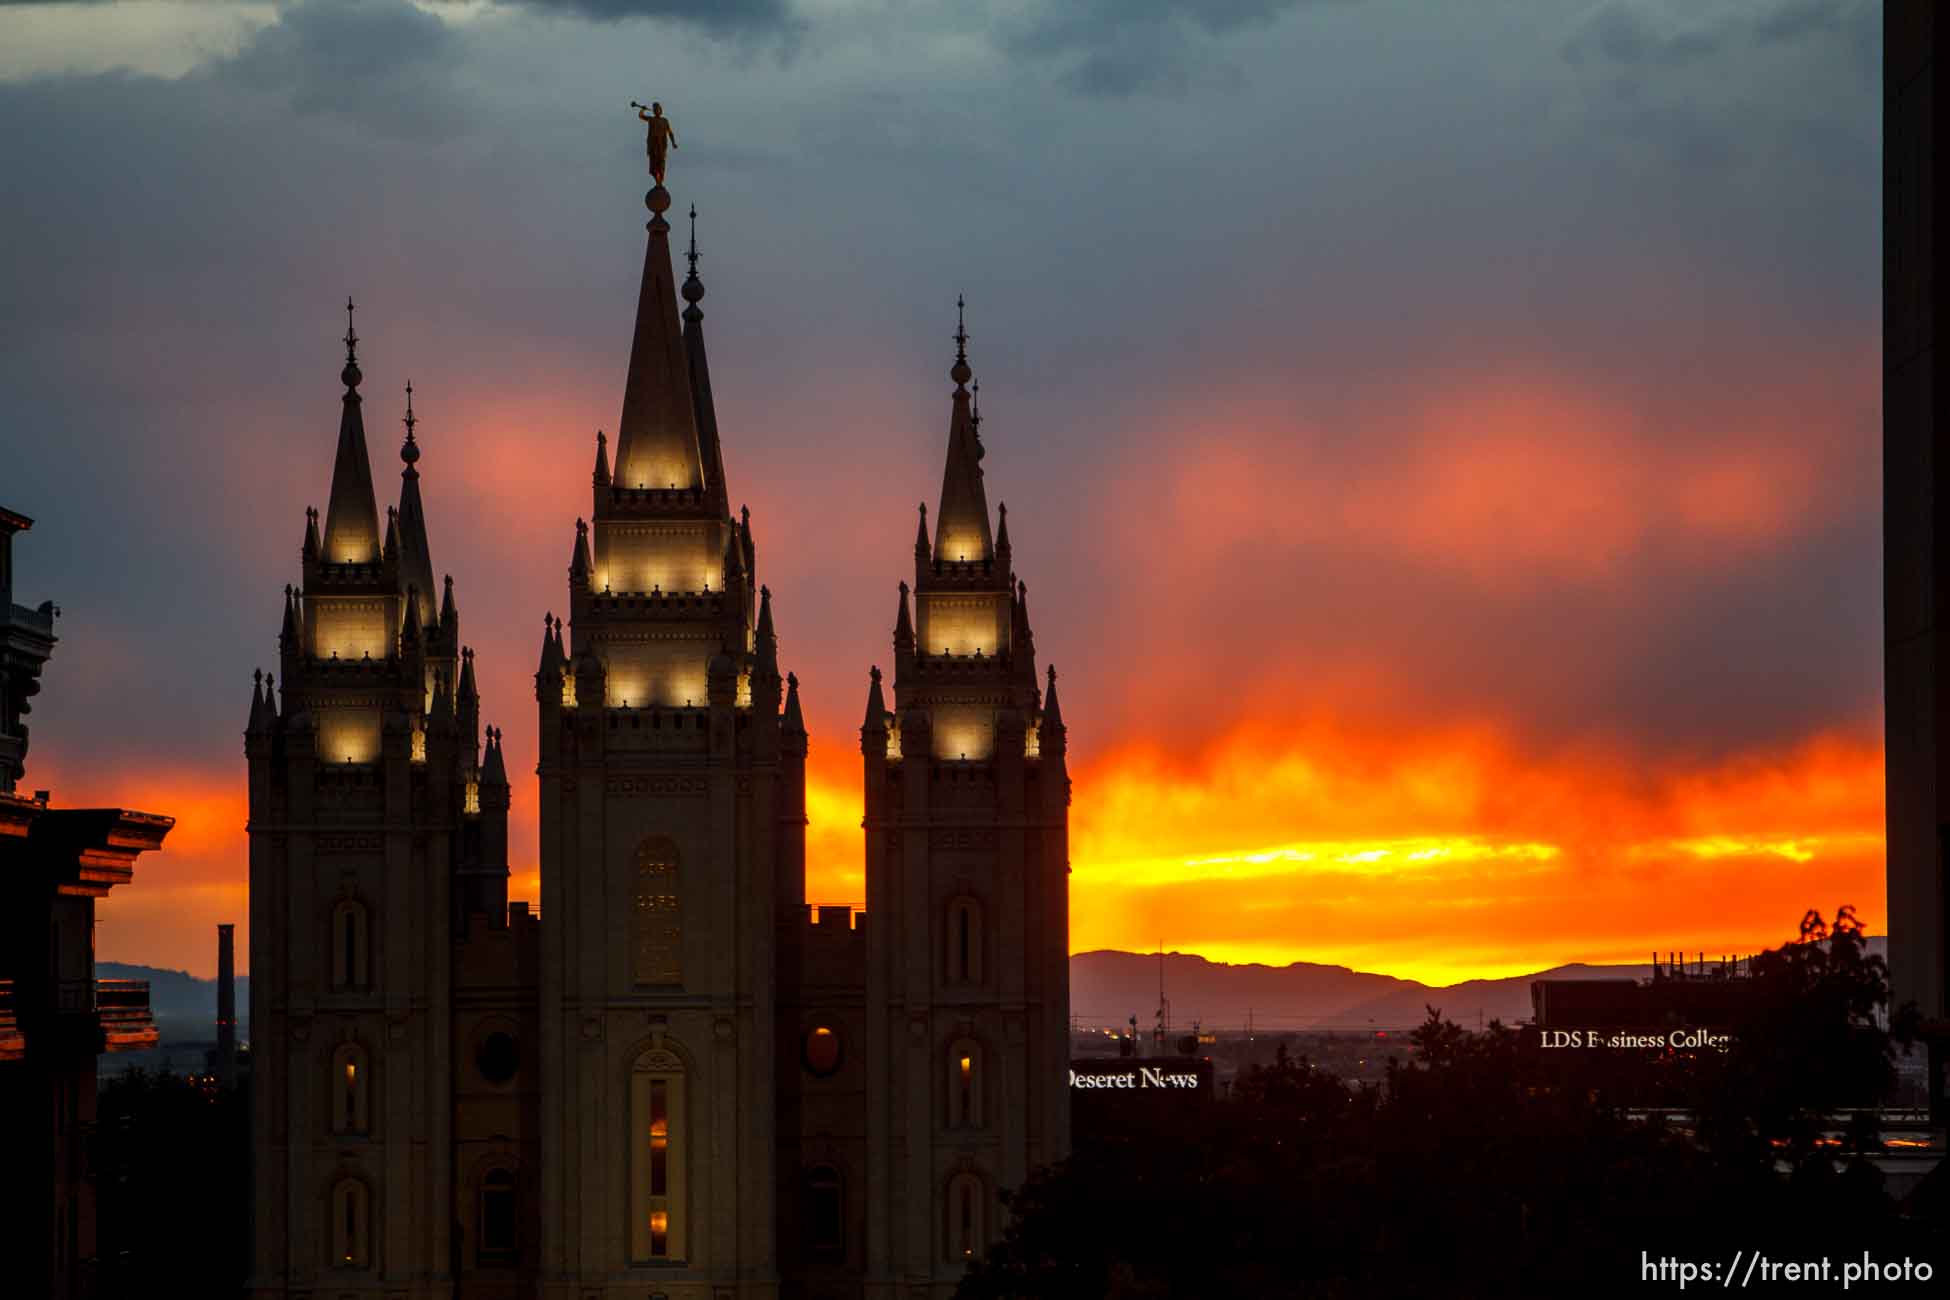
x: 1508, y: 477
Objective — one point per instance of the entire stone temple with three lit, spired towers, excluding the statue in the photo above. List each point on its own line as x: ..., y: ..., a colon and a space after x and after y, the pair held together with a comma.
x: 680, y: 1079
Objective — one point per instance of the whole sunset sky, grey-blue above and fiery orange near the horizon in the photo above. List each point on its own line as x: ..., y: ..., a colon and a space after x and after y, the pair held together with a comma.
x: 1442, y: 440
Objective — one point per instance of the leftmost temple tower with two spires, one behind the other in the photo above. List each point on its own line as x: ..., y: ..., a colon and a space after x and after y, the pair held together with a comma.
x: 371, y: 820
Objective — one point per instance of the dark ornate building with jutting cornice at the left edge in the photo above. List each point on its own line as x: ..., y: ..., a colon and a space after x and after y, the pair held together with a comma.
x: 56, y: 1016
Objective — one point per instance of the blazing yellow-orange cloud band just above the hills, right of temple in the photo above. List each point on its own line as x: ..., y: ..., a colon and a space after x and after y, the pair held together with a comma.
x: 1454, y: 853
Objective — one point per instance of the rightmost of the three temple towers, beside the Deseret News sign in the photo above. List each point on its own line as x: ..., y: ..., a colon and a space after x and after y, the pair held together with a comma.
x: 968, y: 892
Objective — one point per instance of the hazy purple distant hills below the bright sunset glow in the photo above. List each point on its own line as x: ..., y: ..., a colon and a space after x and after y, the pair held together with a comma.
x: 1109, y: 987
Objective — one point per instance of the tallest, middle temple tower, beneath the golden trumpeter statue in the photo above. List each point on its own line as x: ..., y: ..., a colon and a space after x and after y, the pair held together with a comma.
x: 672, y: 825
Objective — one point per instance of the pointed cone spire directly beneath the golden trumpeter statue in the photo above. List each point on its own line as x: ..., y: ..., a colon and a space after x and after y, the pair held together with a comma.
x: 658, y: 434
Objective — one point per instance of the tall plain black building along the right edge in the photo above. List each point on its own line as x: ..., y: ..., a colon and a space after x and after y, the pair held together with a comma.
x: 1916, y: 521
